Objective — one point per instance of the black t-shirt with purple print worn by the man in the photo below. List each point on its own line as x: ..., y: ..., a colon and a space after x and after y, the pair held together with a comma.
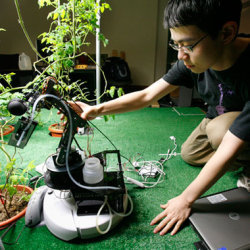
x: 223, y: 91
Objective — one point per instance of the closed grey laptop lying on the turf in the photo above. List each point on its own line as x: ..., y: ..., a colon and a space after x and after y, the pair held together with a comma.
x: 222, y: 220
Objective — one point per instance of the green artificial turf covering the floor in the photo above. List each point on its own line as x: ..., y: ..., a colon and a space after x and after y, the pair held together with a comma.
x: 146, y: 133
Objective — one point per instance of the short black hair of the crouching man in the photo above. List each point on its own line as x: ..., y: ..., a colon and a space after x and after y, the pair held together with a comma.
x: 208, y: 15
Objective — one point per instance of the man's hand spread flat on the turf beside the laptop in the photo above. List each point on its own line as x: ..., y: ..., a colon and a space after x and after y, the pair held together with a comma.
x: 176, y: 211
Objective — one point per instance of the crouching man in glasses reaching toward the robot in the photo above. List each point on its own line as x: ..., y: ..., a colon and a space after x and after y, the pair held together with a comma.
x: 214, y: 59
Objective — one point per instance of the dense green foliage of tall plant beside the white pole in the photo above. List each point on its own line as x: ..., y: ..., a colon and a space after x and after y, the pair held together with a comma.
x: 71, y: 23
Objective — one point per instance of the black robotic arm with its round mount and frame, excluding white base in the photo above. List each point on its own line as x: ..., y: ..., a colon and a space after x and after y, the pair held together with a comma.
x: 64, y: 169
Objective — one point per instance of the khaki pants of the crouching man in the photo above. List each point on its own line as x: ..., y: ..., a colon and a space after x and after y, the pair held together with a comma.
x: 206, y: 138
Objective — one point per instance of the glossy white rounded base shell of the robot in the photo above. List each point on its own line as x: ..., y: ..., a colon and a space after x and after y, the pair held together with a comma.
x: 60, y: 216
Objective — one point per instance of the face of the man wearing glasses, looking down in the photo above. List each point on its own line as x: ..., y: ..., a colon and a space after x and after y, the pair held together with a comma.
x: 206, y: 54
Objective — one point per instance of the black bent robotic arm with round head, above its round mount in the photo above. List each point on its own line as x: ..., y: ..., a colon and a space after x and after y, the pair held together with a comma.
x: 26, y: 126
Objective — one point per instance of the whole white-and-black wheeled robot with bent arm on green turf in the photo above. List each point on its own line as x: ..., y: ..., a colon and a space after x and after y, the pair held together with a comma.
x: 77, y: 201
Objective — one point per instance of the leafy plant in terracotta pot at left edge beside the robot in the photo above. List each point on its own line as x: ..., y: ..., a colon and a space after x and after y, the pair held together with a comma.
x: 14, y: 193
